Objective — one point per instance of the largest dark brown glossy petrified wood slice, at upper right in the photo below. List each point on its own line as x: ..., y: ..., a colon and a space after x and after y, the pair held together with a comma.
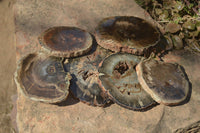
x: 126, y: 34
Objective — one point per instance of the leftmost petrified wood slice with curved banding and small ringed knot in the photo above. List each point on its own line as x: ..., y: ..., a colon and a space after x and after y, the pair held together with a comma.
x: 42, y: 78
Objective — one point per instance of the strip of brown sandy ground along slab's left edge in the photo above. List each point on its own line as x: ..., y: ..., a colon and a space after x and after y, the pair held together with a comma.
x: 7, y: 65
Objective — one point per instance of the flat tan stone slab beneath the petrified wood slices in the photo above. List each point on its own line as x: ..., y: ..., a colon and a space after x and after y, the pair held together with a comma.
x: 33, y: 17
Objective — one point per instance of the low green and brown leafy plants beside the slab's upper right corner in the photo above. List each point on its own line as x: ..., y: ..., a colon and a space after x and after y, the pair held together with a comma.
x: 183, y: 15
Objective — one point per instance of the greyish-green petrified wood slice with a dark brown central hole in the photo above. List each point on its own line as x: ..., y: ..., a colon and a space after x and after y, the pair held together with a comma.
x: 119, y: 78
